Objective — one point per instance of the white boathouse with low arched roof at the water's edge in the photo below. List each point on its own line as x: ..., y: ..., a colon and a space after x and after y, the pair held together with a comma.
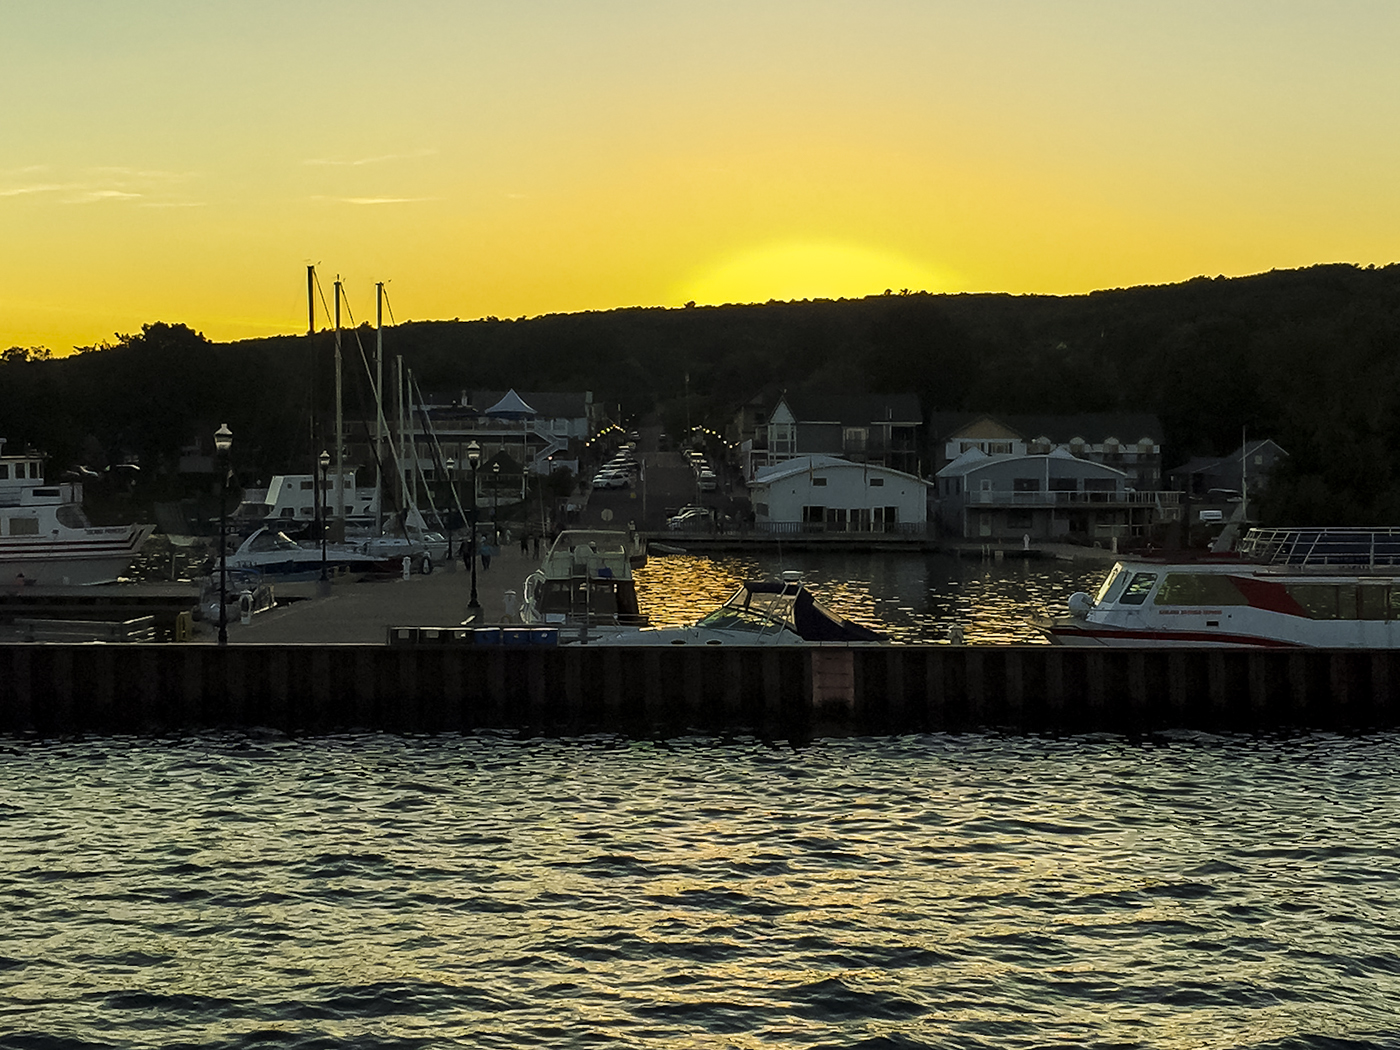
x: 831, y: 495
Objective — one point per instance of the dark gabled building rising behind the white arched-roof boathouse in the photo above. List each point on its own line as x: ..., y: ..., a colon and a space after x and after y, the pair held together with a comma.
x: 877, y: 429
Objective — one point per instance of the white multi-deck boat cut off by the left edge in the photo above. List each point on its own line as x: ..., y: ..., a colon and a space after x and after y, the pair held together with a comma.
x: 48, y: 541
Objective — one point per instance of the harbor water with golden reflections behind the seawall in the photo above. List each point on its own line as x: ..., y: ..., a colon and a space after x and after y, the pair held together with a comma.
x: 913, y: 598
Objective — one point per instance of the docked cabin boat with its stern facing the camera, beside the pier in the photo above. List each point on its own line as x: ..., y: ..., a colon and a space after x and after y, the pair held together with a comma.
x: 584, y: 582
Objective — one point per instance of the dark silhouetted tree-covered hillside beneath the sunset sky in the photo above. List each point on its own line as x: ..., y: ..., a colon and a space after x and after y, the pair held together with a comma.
x: 1310, y: 358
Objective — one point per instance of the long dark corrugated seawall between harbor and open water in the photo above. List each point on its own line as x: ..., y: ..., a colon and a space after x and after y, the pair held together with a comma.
x: 787, y: 694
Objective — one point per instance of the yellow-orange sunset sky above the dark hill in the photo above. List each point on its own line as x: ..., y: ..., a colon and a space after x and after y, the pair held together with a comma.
x: 187, y: 162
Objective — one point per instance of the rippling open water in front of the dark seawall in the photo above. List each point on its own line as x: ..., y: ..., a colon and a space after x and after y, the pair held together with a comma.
x: 968, y: 892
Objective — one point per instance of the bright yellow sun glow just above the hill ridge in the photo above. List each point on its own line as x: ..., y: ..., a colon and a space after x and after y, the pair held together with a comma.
x: 810, y: 269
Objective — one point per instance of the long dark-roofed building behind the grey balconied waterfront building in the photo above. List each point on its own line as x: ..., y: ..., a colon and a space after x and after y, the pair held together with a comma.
x: 1129, y: 442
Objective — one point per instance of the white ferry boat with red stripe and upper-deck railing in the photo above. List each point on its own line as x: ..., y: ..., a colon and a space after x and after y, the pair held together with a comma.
x: 1293, y: 587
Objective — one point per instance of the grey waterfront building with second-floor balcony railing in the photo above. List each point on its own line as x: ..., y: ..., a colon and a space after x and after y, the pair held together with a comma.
x: 1046, y: 496
